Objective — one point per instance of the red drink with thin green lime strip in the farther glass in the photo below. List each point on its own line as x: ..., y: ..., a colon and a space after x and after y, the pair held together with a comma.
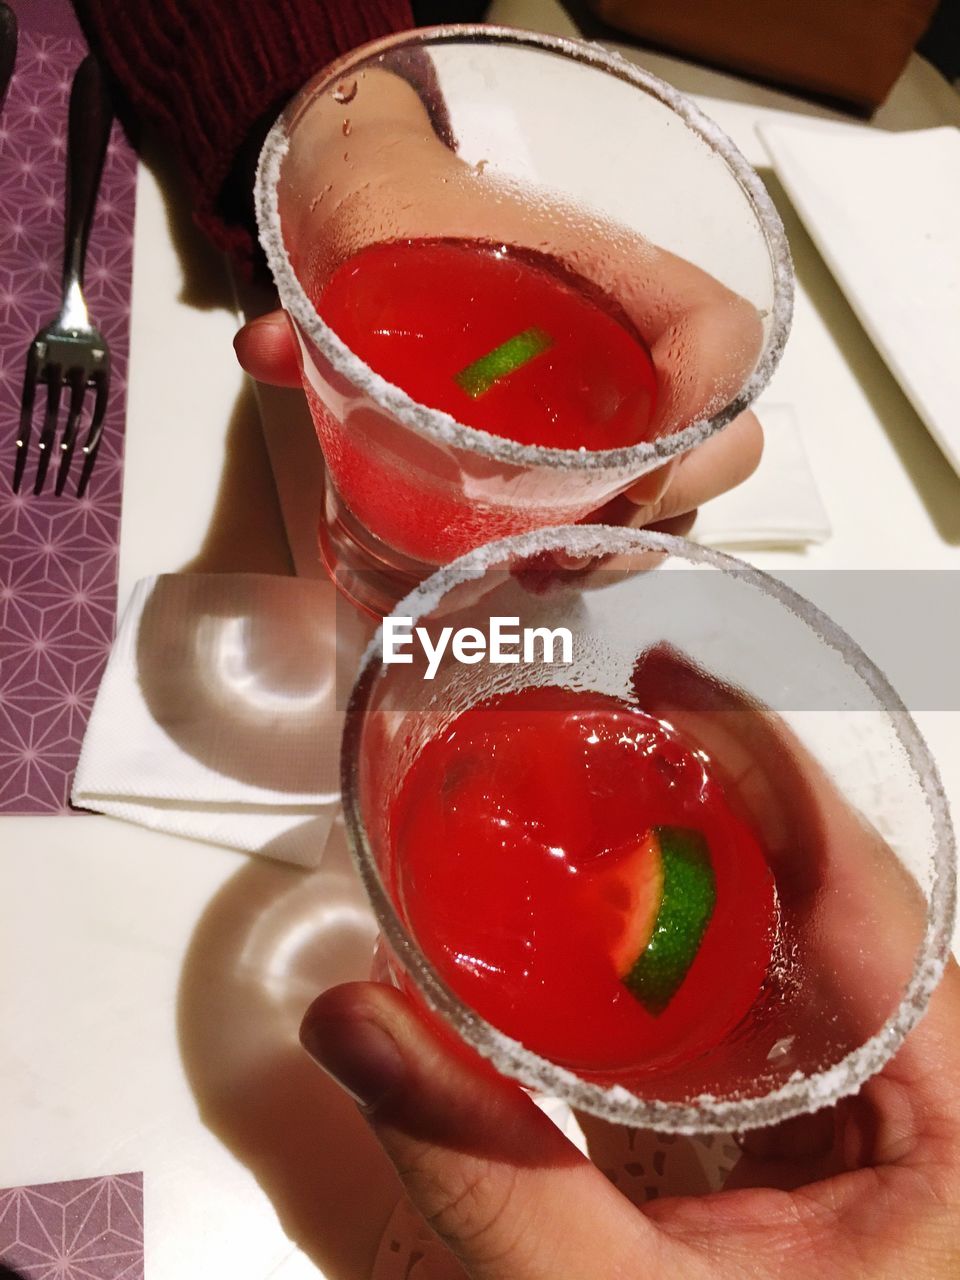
x: 502, y: 341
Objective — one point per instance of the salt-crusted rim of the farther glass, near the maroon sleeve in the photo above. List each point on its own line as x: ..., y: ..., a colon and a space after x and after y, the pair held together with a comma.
x: 436, y: 424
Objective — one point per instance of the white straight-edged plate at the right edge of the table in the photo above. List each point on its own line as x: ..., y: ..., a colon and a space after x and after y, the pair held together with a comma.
x: 884, y: 212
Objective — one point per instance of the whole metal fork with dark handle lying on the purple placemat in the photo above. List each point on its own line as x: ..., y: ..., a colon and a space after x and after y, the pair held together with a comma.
x: 70, y: 354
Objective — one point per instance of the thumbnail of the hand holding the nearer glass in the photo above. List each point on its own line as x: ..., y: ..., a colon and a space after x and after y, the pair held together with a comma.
x: 356, y: 1053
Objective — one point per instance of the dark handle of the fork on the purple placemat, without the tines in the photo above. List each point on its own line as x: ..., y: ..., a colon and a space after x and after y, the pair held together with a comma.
x: 90, y: 124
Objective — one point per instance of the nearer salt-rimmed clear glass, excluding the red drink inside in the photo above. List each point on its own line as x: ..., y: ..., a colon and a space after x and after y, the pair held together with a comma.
x: 812, y: 746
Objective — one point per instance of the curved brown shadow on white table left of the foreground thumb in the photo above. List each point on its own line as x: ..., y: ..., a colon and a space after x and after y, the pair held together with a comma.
x: 267, y: 945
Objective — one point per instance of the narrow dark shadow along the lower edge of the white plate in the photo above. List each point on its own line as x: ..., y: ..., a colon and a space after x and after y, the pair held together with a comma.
x: 929, y: 470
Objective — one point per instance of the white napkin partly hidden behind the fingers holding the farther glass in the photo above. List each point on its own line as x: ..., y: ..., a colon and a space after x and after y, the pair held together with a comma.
x: 780, y: 505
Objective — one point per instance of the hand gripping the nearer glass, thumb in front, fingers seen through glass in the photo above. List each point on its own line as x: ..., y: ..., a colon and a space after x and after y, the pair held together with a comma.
x: 870, y: 1188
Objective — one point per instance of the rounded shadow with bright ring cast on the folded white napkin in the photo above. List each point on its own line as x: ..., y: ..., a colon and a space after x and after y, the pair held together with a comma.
x: 250, y: 678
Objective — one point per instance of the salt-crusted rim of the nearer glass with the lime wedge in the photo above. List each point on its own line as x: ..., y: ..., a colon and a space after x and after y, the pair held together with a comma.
x: 705, y: 1114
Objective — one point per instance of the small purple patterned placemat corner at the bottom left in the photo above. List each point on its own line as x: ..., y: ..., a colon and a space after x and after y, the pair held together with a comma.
x: 90, y: 1229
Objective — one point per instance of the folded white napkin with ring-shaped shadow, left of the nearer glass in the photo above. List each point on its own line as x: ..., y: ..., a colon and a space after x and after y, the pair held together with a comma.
x: 220, y: 712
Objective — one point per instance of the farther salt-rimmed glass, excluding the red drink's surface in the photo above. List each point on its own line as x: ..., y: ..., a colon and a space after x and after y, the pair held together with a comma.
x: 545, y: 145
